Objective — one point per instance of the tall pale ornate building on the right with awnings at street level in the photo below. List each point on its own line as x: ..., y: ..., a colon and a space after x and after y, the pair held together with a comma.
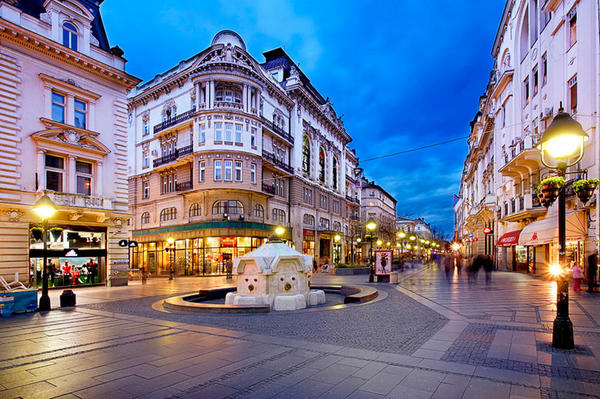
x: 540, y: 60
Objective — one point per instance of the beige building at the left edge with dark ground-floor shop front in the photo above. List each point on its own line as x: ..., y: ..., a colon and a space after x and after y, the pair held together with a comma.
x: 63, y: 130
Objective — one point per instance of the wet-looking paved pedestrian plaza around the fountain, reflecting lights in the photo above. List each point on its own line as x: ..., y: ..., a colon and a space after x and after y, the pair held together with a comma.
x: 426, y: 337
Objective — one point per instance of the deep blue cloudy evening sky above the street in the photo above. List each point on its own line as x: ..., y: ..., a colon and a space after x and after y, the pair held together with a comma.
x: 403, y: 73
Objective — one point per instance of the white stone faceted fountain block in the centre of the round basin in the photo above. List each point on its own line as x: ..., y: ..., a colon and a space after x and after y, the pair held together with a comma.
x: 275, y: 275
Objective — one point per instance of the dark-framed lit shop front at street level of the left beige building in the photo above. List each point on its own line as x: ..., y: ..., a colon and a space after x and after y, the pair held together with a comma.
x: 76, y: 255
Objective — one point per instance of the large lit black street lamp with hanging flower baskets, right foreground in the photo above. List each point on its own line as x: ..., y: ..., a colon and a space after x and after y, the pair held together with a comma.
x: 562, y: 146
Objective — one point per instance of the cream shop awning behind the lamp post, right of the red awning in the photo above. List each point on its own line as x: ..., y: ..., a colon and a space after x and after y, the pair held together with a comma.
x: 546, y: 230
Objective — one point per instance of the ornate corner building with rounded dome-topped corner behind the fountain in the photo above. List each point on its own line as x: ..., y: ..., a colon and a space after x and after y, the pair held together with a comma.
x: 223, y: 149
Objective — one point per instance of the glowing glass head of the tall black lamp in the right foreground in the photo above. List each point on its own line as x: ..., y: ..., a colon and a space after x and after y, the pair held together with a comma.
x: 562, y: 143
